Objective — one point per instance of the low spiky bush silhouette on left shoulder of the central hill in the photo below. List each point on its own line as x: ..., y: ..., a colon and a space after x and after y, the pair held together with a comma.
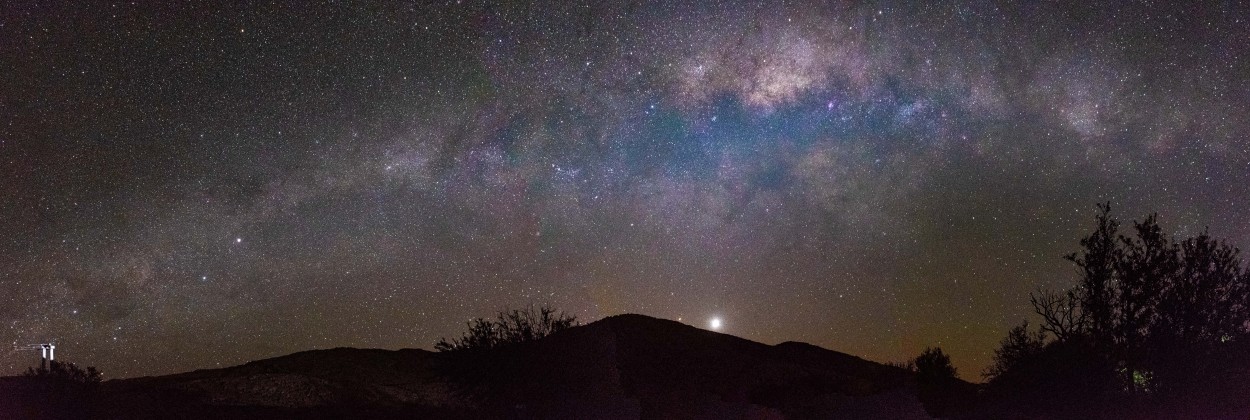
x: 519, y: 326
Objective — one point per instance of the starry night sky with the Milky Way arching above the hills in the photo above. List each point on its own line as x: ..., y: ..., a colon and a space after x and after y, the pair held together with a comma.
x: 201, y: 186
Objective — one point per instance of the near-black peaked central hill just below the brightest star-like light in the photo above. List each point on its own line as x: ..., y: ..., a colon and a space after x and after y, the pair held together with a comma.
x: 632, y: 367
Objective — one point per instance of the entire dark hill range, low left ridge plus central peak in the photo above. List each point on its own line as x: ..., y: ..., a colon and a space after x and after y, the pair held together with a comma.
x: 624, y: 367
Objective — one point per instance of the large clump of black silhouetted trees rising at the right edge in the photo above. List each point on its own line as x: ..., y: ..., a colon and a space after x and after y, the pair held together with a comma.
x: 1157, y: 316
